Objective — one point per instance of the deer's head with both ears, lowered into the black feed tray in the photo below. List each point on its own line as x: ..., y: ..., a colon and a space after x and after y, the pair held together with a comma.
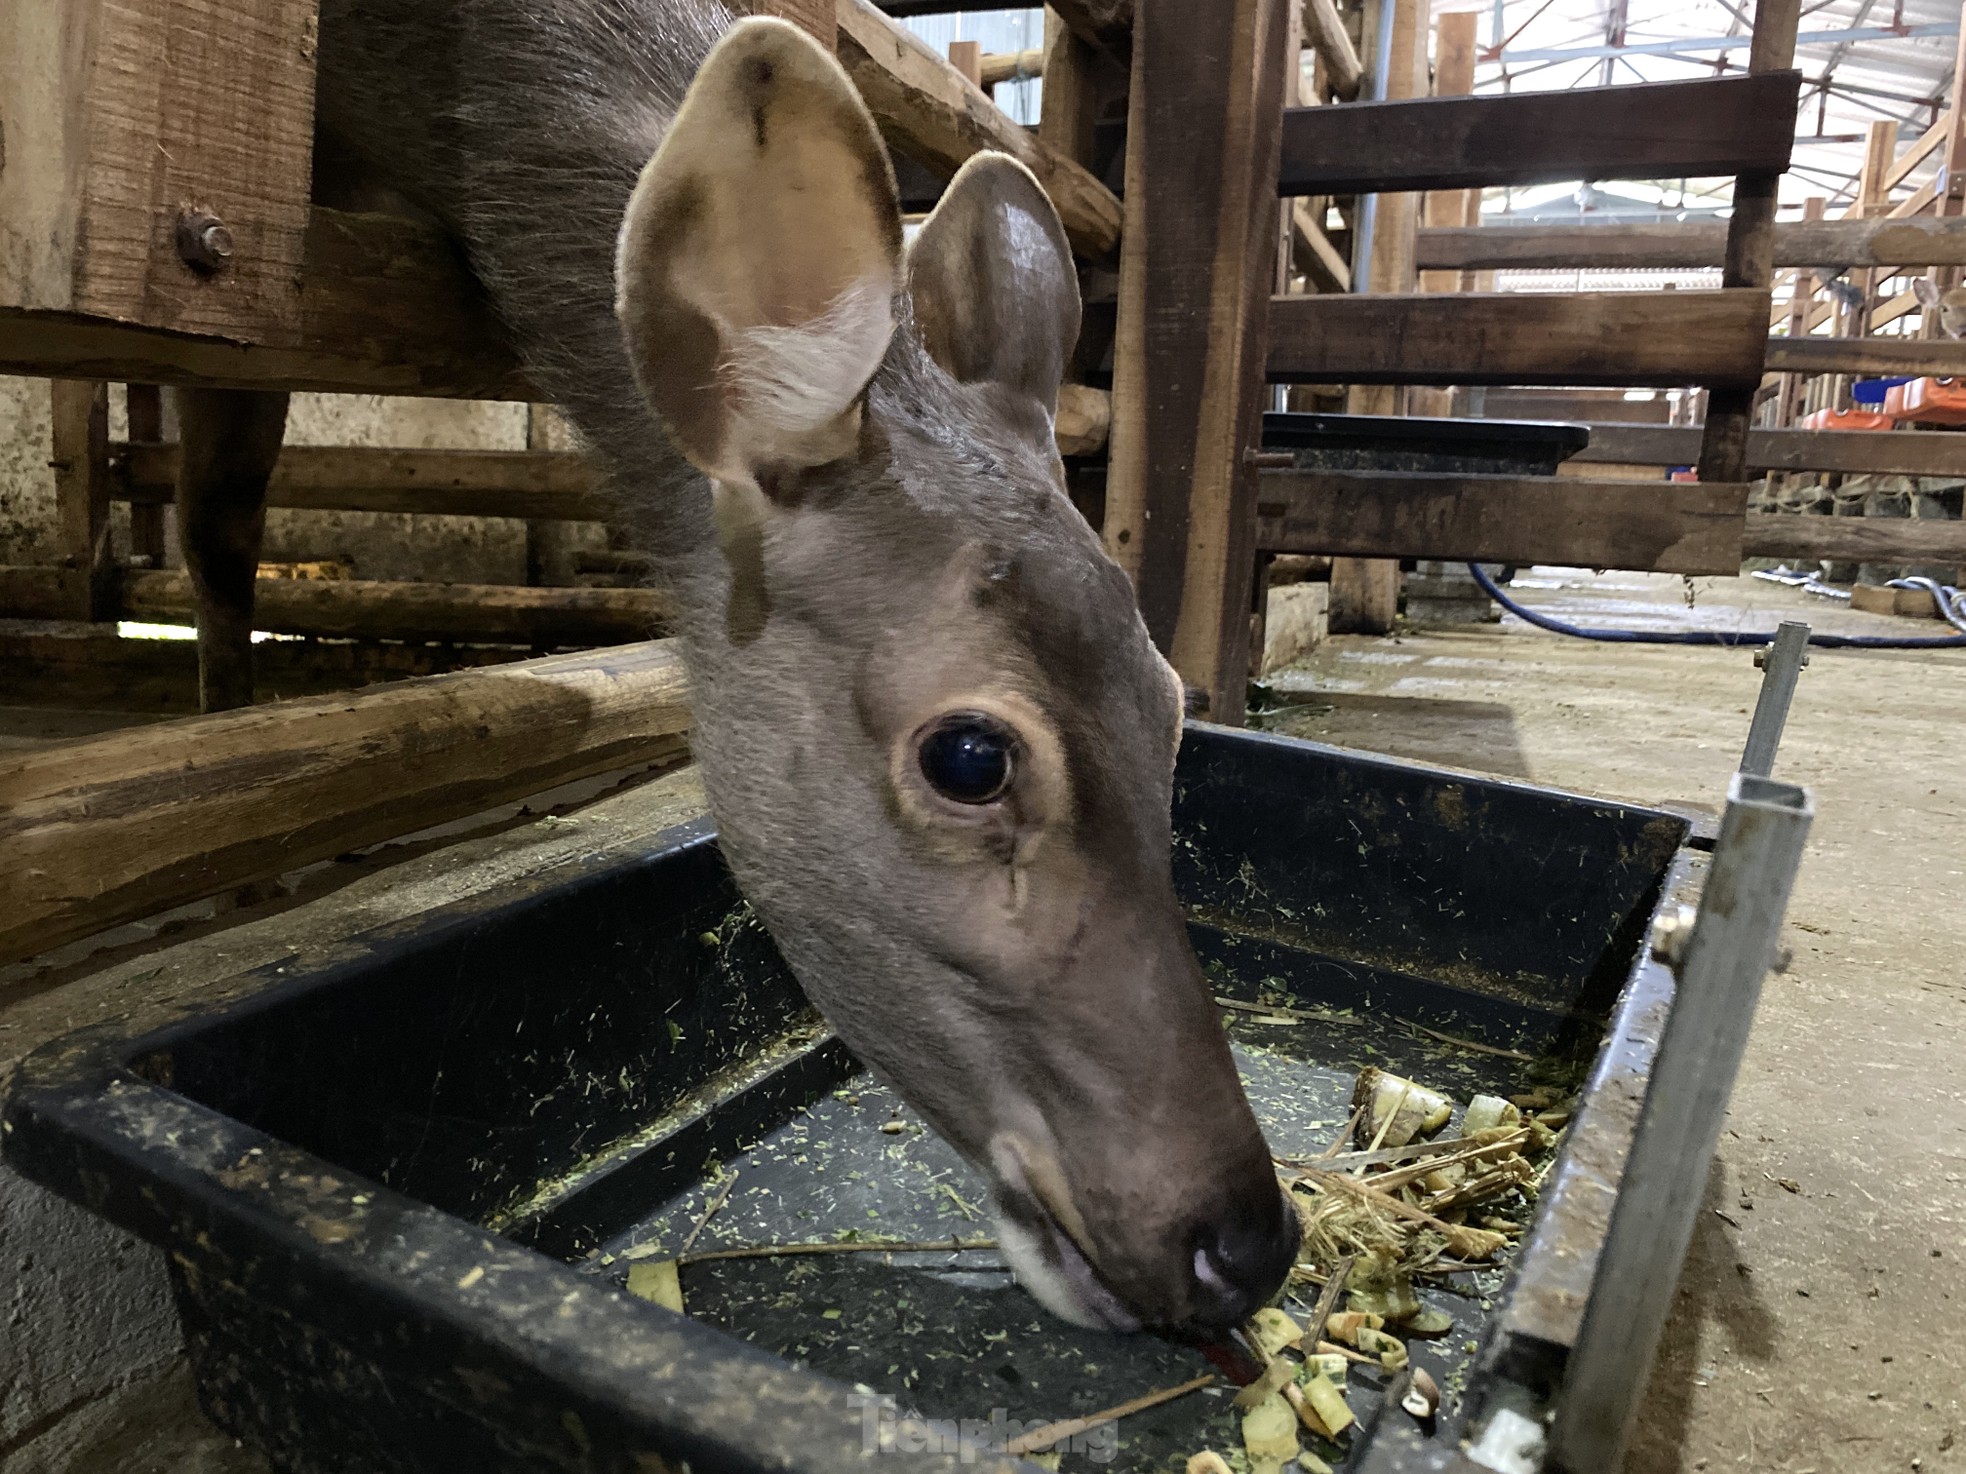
x: 933, y: 728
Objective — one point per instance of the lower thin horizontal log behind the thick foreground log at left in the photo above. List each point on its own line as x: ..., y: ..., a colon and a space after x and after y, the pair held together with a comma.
x: 477, y: 614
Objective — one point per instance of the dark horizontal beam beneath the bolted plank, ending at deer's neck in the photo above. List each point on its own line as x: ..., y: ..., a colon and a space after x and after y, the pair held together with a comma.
x: 386, y: 308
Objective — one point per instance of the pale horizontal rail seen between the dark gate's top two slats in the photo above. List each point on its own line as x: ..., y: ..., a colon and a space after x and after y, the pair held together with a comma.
x: 1694, y: 245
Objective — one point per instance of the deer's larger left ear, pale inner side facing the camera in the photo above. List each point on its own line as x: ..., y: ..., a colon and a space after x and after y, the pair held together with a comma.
x: 760, y: 258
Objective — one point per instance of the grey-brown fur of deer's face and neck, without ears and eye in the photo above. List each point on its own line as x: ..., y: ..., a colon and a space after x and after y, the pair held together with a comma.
x: 945, y: 551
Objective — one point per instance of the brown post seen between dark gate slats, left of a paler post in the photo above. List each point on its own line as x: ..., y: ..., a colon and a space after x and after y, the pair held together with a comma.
x: 1365, y: 593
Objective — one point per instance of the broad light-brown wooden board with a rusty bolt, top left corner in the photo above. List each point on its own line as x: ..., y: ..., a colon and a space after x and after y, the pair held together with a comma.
x: 129, y: 117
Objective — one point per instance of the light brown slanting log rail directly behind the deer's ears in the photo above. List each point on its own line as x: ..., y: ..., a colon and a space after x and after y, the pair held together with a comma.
x: 939, y: 117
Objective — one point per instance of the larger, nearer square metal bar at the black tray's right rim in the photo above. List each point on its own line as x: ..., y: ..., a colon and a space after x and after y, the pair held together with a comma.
x: 1721, y: 964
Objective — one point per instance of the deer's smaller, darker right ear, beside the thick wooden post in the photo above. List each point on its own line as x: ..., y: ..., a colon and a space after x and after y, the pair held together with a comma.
x: 994, y: 286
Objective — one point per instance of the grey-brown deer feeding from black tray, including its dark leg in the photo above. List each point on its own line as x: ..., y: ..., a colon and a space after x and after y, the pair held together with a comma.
x: 933, y: 730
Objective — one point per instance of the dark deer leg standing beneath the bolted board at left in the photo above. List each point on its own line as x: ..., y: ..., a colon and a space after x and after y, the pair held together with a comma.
x: 229, y: 443
